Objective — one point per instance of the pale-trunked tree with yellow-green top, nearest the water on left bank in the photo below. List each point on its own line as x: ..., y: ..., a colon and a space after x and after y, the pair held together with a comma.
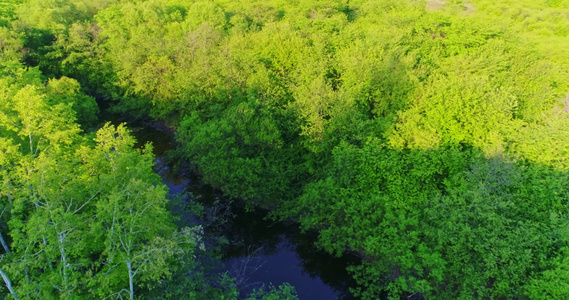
x: 140, y: 242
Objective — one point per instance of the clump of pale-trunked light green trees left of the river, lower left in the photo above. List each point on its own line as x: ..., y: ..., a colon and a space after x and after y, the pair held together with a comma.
x: 91, y: 221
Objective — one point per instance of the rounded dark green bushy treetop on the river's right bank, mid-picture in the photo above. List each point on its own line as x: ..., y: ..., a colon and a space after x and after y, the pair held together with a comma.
x: 242, y: 153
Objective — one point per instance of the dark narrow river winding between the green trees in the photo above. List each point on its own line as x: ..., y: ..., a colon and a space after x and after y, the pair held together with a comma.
x: 259, y: 251
